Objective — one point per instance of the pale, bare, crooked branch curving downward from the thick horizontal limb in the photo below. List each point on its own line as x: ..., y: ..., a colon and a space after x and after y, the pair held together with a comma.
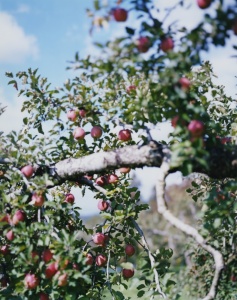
x: 187, y: 229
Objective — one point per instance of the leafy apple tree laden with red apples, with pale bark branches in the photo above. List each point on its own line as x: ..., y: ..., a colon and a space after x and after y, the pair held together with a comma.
x: 91, y: 132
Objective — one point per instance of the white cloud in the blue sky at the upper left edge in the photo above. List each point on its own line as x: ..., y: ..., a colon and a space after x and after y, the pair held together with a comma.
x: 15, y: 44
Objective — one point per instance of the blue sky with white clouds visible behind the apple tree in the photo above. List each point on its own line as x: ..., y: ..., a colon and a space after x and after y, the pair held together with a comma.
x: 46, y: 34
